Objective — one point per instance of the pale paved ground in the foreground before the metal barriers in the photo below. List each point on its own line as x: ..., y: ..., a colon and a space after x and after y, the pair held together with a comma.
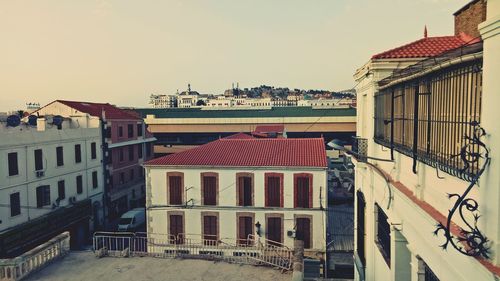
x: 85, y: 266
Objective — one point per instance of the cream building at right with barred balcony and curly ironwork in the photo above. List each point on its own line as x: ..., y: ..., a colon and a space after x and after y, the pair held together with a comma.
x: 434, y: 181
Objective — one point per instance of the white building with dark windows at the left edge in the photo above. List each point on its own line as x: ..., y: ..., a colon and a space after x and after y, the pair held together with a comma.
x: 51, y: 181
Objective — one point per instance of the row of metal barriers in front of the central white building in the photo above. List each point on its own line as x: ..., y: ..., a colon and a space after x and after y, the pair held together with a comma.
x: 254, y: 250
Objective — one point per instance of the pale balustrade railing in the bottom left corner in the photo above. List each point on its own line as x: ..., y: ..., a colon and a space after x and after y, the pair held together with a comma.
x: 19, y: 267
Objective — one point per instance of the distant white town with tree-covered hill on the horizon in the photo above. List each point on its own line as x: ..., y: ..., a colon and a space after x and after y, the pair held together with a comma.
x: 262, y: 96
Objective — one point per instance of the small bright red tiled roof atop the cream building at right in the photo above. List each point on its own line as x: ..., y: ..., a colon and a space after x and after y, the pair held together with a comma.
x: 425, y: 47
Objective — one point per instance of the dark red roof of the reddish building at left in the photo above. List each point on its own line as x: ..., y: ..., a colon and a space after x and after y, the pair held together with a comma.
x: 95, y: 109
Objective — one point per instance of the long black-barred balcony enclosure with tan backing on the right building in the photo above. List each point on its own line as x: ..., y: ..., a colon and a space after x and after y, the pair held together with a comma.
x: 429, y: 117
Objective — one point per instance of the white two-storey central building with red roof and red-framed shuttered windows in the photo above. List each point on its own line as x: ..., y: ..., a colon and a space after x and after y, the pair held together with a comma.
x: 275, y: 189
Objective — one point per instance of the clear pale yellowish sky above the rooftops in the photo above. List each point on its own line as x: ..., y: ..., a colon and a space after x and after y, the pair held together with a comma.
x: 122, y: 51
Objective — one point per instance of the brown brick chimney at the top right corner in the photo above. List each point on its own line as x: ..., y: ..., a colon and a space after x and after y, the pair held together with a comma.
x: 469, y: 17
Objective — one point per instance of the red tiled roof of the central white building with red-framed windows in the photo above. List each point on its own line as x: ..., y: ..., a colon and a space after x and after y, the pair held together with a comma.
x: 250, y: 153
